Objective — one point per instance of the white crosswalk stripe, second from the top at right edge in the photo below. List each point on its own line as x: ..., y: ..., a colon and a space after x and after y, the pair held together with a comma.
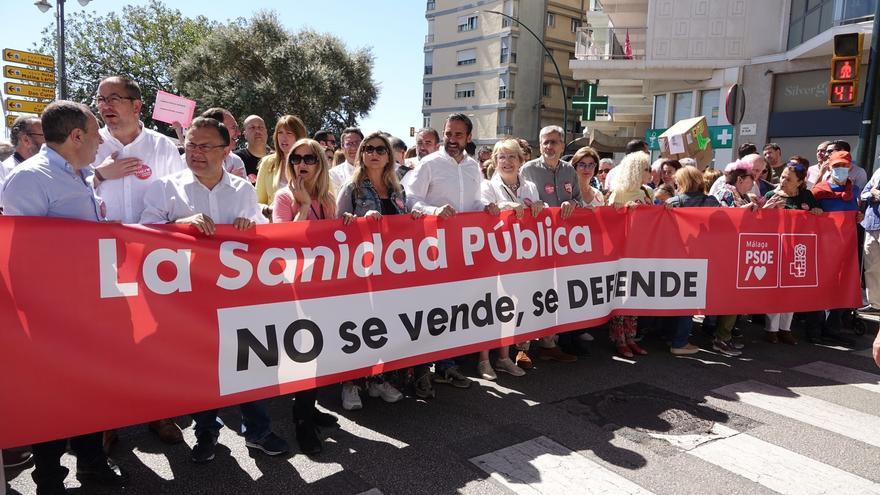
x: 817, y: 412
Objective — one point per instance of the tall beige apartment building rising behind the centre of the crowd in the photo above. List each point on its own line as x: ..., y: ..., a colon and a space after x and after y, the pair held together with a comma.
x: 494, y: 70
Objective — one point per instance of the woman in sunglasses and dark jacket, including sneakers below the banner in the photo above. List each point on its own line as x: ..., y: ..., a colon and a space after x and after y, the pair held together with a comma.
x: 372, y: 192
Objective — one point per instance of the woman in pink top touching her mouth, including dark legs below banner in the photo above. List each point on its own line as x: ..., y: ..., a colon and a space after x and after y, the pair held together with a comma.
x: 306, y: 197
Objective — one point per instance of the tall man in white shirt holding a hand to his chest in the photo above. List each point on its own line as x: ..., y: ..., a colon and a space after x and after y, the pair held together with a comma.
x: 132, y: 157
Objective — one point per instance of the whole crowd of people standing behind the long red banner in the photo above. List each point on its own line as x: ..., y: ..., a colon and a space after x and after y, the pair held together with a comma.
x: 65, y: 165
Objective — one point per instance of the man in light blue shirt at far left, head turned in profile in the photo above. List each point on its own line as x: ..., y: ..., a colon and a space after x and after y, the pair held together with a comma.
x: 53, y: 184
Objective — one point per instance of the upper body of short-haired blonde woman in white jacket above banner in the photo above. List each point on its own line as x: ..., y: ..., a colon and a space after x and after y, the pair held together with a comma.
x: 506, y: 188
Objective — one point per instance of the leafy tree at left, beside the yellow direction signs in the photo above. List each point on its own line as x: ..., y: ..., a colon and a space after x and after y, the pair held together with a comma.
x: 144, y: 43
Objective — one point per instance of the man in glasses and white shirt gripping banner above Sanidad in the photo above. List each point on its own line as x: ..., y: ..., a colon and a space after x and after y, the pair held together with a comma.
x: 205, y: 195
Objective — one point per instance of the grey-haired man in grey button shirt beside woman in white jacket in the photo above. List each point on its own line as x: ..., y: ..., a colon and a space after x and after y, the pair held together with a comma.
x: 557, y: 184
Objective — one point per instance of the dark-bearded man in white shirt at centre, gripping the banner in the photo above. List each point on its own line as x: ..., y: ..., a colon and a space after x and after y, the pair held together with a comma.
x: 447, y: 182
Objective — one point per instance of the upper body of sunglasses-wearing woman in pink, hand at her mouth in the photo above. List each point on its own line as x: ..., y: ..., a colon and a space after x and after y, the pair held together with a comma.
x: 307, y: 195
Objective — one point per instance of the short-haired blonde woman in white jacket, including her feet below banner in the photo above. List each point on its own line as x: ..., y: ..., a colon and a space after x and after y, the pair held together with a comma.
x: 508, y: 191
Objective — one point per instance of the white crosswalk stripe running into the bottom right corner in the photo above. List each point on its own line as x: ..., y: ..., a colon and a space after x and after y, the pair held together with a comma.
x: 779, y: 469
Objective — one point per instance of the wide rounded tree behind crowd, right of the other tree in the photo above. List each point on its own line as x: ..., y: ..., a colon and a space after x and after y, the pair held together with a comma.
x: 258, y: 67
